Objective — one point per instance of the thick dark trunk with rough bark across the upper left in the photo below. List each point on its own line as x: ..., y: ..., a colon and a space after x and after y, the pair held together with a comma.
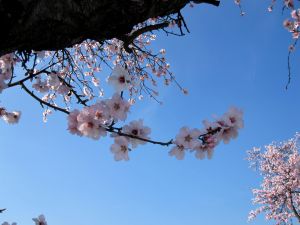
x: 57, y: 24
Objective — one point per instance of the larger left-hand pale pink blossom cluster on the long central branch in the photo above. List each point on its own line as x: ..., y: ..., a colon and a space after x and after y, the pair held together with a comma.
x: 95, y: 121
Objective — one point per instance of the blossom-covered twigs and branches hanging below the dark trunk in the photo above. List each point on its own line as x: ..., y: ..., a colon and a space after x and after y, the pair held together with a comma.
x: 58, y: 79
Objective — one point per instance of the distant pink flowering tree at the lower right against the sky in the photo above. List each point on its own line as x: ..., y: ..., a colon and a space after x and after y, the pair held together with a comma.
x: 279, y: 193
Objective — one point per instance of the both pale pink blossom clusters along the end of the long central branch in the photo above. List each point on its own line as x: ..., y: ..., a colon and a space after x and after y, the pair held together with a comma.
x: 99, y: 119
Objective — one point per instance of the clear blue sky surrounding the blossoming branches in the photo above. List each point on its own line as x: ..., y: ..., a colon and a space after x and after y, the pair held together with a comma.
x: 226, y: 60
